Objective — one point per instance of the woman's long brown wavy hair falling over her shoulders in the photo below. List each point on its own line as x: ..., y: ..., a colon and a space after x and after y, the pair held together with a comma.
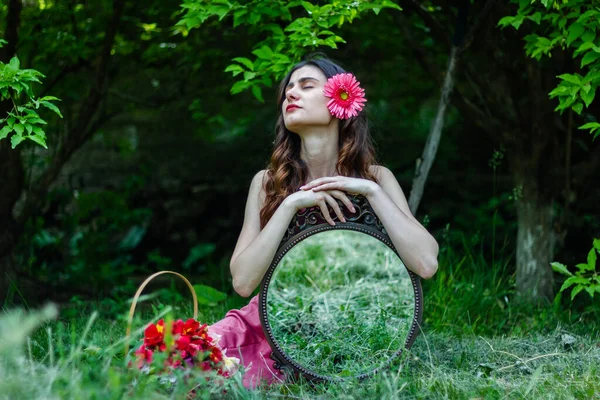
x: 287, y: 171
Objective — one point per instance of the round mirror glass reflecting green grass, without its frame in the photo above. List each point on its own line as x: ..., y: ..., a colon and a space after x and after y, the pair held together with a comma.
x: 340, y: 303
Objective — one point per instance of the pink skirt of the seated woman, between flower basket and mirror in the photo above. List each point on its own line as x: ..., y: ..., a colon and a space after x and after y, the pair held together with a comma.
x: 242, y: 337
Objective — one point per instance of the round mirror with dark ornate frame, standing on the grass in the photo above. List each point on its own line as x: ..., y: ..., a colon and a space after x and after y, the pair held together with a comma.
x: 337, y: 301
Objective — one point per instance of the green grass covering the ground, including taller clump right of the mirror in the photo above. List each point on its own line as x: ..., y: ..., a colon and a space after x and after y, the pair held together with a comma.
x: 477, y: 342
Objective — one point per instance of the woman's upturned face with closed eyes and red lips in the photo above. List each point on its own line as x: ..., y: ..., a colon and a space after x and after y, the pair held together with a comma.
x: 305, y: 105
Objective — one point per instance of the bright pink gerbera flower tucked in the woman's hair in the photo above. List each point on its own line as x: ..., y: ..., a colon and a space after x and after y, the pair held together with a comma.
x: 347, y: 97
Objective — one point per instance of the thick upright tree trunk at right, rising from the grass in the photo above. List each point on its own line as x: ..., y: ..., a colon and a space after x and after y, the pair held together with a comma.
x: 535, y: 241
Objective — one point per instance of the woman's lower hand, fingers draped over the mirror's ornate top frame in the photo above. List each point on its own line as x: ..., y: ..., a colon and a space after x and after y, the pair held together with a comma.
x: 309, y: 198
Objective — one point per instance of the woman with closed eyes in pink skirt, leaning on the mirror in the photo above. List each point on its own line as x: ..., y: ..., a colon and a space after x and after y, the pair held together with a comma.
x: 322, y: 150
